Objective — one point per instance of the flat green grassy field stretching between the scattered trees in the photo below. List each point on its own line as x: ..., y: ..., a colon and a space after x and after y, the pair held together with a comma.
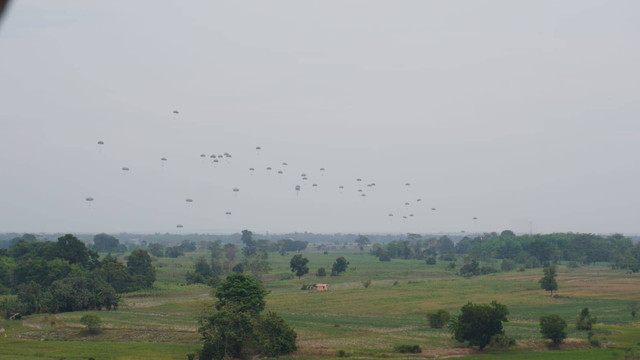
x: 362, y: 322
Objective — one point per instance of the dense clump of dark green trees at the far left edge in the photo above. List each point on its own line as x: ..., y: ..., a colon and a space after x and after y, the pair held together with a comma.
x: 65, y: 275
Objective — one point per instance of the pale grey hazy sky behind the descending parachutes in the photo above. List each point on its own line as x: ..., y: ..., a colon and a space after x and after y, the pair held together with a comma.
x: 524, y: 114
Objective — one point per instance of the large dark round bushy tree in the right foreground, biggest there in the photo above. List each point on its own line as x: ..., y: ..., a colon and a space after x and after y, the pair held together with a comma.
x: 478, y: 323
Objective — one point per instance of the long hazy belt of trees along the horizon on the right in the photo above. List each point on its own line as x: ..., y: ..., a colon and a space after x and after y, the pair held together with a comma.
x: 531, y: 251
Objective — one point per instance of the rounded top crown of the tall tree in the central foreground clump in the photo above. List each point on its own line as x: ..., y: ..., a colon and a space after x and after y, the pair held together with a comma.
x: 245, y: 293
